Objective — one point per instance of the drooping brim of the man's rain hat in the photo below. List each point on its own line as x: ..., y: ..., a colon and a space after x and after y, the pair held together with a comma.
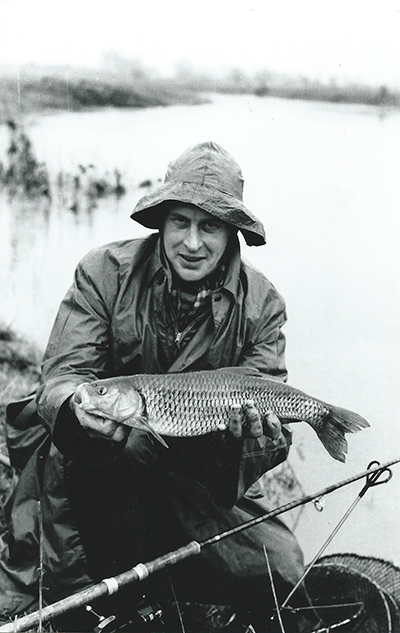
x: 149, y: 211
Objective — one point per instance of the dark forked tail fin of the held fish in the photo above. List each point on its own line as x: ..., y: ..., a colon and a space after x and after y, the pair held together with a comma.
x: 336, y: 424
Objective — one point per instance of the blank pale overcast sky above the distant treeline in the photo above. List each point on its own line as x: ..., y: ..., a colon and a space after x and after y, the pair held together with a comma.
x: 344, y: 39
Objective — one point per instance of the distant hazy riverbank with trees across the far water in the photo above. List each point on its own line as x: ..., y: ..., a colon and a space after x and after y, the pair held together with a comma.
x: 26, y: 92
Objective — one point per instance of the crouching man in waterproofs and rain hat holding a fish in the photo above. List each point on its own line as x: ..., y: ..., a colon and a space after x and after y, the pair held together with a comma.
x: 179, y: 300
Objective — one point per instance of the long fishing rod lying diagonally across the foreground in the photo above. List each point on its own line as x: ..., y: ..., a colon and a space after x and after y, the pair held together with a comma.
x: 109, y: 586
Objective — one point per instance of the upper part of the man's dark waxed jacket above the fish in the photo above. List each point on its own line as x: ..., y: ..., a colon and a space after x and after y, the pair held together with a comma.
x: 112, y: 322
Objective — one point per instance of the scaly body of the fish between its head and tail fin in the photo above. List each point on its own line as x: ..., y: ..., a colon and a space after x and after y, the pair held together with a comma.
x: 199, y: 403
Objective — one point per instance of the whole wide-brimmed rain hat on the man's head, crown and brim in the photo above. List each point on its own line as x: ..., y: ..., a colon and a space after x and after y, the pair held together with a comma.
x: 207, y: 176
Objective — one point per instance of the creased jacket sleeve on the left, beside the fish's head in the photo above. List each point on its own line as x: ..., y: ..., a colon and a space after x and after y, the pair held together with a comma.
x: 79, y: 344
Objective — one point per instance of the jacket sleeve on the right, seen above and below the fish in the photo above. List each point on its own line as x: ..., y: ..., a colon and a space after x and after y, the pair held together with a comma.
x: 237, y: 465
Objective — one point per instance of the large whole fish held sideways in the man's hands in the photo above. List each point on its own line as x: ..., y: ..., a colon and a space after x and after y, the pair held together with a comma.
x: 198, y: 402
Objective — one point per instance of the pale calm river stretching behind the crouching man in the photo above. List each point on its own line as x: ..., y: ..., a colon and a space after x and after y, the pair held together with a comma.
x: 324, y: 179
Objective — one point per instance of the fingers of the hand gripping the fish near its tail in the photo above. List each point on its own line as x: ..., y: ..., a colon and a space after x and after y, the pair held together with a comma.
x: 245, y: 421
